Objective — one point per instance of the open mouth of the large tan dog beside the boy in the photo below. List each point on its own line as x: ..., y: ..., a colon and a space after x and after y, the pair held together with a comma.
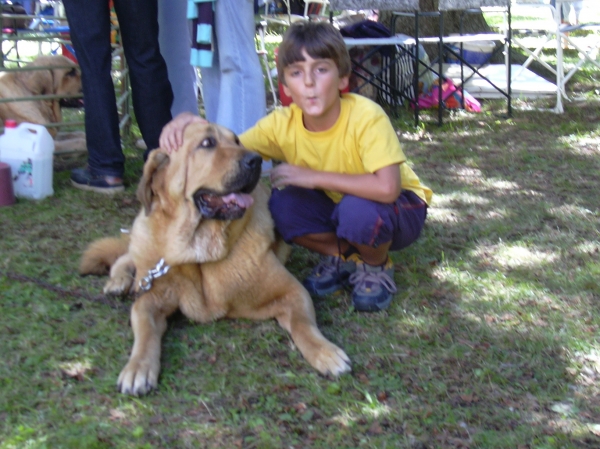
x: 222, y: 207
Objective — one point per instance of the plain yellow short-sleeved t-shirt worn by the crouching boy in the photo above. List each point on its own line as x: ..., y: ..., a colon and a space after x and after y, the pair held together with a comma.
x: 362, y: 141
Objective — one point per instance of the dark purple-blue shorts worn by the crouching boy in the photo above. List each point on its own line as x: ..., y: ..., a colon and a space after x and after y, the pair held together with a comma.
x: 297, y: 212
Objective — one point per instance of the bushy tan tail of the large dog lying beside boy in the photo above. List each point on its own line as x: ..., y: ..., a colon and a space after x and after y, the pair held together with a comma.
x: 102, y: 254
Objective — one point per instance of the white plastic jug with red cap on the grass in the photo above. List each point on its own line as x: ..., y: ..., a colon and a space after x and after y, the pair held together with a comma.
x: 28, y: 149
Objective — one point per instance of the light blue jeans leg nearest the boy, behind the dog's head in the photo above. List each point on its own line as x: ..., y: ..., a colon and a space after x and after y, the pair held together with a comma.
x: 233, y: 88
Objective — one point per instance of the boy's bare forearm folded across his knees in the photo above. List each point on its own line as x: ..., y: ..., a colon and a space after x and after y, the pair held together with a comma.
x: 383, y: 185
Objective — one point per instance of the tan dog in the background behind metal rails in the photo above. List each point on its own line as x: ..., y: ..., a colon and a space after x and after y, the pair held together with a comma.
x: 61, y: 78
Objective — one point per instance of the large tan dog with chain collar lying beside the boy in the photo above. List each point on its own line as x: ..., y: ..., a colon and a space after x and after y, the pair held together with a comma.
x: 204, y: 215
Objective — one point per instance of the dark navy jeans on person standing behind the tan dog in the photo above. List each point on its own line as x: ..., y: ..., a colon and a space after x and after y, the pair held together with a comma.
x: 89, y: 23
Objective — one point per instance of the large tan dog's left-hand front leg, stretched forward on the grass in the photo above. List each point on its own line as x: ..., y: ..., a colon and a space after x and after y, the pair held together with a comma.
x: 149, y: 322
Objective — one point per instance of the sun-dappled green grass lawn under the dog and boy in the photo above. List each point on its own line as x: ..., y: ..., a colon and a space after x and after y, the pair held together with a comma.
x: 491, y: 342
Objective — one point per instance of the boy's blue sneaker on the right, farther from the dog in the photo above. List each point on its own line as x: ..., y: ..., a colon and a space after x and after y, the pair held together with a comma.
x: 374, y: 287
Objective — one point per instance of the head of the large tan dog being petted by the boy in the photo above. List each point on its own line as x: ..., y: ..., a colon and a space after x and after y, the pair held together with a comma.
x: 211, y: 172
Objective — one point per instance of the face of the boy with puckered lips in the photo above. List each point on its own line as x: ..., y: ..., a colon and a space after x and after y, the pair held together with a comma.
x: 314, y: 85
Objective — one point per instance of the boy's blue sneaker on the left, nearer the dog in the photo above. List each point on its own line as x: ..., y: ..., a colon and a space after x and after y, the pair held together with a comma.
x: 330, y: 275
